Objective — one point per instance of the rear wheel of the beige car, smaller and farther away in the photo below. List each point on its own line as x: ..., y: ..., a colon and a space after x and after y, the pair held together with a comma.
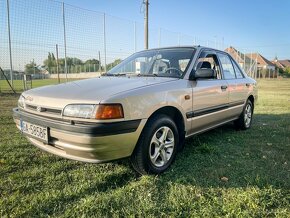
x: 245, y: 120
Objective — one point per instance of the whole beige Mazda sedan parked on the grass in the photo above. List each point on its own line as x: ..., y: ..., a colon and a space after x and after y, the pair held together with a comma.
x: 144, y: 108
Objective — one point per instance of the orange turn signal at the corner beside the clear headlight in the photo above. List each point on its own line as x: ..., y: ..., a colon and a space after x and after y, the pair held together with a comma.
x: 109, y: 111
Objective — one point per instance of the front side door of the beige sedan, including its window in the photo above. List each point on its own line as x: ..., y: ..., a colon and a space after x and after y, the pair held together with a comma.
x: 210, y: 96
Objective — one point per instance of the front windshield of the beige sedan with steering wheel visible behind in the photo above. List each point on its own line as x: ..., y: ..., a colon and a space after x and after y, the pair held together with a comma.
x: 171, y: 62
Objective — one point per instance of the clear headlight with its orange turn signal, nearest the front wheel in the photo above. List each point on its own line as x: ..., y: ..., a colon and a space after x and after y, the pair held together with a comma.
x: 100, y: 112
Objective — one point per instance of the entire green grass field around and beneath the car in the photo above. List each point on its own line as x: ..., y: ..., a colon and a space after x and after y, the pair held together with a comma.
x: 255, y: 165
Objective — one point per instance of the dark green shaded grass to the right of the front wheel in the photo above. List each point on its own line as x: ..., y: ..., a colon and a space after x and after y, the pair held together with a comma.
x: 226, y: 157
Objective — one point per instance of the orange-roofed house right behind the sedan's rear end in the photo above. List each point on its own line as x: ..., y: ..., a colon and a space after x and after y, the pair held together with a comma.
x: 243, y: 60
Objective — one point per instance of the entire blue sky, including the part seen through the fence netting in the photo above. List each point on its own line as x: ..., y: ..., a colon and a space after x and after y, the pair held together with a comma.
x: 37, y: 27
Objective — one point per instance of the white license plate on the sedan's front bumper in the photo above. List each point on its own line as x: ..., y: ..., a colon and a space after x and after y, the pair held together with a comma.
x: 33, y: 130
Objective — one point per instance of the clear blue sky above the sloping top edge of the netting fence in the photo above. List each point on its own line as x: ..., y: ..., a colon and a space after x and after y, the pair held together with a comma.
x: 252, y: 25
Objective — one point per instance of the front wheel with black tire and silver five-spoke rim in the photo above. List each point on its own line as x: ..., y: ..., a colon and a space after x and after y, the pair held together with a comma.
x: 157, y: 146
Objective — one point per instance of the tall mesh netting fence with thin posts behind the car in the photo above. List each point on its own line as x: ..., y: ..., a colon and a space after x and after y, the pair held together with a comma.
x: 54, y: 41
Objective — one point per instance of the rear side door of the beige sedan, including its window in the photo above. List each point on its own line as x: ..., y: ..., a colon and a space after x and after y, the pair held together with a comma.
x: 235, y: 86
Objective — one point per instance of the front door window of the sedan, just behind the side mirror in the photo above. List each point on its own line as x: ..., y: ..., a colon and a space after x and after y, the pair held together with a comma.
x: 209, y: 60
